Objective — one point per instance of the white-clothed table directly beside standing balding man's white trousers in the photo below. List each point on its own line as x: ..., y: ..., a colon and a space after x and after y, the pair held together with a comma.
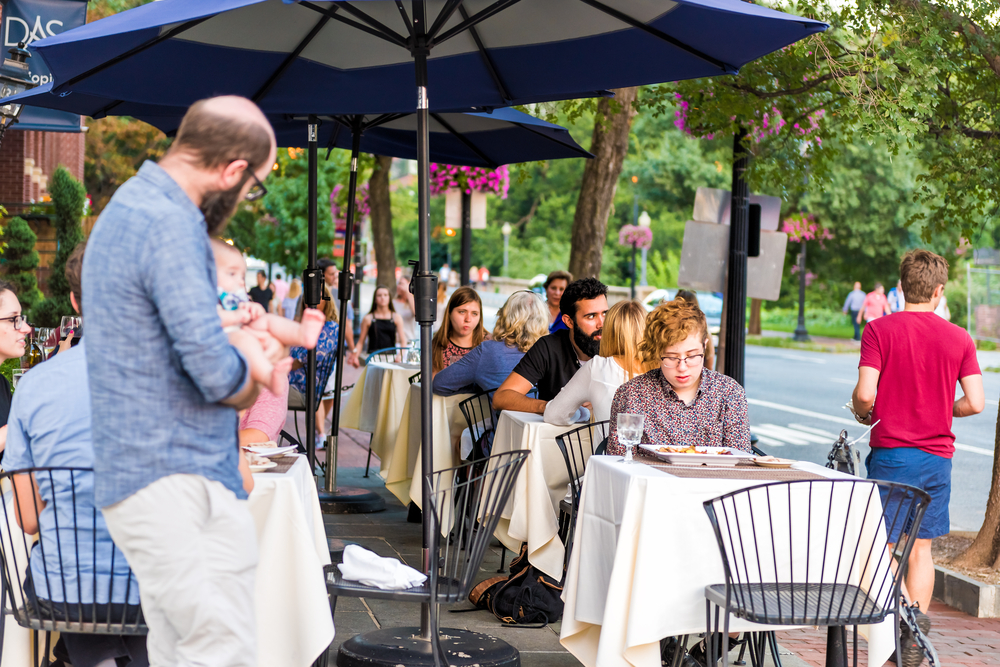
x: 294, y: 624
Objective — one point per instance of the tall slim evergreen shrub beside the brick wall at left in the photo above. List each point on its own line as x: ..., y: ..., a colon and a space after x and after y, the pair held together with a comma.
x: 68, y: 198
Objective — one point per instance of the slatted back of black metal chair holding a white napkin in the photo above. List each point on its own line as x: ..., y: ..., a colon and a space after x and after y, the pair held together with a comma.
x: 469, y: 499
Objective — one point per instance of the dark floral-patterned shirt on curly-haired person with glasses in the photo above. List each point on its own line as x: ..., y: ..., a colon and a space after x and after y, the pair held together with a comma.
x: 717, y: 417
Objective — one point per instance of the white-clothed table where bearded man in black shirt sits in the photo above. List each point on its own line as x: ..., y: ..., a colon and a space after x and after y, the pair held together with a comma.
x: 532, y: 512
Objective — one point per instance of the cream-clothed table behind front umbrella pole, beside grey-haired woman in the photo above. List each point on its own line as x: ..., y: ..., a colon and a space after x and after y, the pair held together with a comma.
x: 403, y: 458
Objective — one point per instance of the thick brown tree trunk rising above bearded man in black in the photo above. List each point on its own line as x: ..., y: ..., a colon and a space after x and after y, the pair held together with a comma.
x: 609, y: 145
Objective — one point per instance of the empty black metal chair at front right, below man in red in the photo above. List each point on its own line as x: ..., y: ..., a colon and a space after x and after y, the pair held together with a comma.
x: 793, y: 563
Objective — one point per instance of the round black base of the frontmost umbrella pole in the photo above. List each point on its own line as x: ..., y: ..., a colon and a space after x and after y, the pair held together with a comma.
x: 403, y: 646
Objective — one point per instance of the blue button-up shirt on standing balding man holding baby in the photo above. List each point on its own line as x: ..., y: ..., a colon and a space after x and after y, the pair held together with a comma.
x: 158, y: 361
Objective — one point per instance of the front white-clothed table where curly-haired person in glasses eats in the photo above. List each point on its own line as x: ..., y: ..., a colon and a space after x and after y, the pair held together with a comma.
x: 643, y: 552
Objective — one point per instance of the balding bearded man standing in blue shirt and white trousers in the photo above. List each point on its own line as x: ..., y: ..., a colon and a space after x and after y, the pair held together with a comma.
x: 166, y: 382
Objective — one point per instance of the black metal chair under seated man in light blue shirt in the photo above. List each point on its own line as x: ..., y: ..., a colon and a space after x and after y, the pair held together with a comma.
x: 69, y: 564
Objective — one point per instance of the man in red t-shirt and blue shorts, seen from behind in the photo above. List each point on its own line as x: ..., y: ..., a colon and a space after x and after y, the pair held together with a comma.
x: 912, y: 361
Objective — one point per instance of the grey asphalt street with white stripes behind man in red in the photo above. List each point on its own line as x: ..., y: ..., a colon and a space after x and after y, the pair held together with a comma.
x: 796, y: 401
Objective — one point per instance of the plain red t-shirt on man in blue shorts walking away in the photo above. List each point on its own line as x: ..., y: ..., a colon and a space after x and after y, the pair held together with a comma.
x: 920, y: 358
